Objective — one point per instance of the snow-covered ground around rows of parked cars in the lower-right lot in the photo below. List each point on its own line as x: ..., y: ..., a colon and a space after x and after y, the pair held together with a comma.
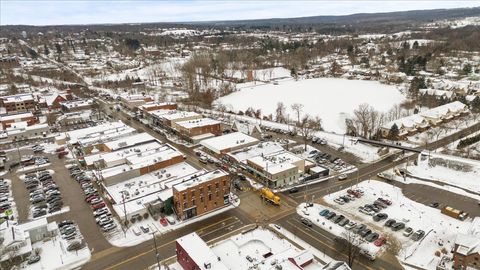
x: 441, y: 229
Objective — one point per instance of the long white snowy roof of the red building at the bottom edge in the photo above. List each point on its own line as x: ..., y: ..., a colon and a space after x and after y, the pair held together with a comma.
x: 200, y: 252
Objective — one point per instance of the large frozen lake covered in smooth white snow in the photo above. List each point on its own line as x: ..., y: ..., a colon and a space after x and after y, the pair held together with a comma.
x: 331, y: 99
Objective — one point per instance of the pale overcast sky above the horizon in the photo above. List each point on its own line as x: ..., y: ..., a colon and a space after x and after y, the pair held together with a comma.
x: 104, y: 11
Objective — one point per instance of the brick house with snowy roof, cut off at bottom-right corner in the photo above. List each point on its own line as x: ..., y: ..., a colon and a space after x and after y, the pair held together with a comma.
x: 466, y: 253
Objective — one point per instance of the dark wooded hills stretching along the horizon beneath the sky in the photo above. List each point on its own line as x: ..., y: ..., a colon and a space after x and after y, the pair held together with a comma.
x: 355, y: 23
